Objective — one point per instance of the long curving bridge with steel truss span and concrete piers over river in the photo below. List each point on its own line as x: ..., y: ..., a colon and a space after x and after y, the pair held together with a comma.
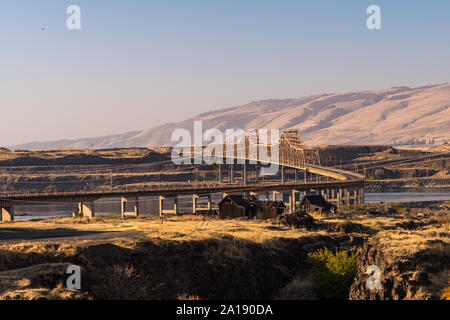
x: 337, y: 186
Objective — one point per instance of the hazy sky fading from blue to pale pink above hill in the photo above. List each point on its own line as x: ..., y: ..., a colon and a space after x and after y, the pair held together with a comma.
x: 140, y: 63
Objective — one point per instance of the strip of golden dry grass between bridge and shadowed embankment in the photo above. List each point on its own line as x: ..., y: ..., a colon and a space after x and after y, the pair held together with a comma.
x: 188, y: 227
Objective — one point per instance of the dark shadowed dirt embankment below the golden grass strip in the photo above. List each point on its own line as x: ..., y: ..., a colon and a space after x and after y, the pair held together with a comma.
x: 227, y: 268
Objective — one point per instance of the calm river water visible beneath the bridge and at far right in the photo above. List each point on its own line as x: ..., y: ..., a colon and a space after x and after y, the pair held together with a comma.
x: 149, y: 205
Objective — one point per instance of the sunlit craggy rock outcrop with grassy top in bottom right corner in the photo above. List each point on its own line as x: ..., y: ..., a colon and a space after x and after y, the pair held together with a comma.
x: 413, y: 264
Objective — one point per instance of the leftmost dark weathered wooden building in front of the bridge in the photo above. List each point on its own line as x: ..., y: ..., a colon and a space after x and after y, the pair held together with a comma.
x: 235, y: 206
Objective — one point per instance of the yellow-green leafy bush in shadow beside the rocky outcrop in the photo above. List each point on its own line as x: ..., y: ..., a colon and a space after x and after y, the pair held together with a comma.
x: 333, y: 273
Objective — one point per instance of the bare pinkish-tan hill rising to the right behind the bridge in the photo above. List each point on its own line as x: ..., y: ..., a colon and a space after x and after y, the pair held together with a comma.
x: 390, y: 116
